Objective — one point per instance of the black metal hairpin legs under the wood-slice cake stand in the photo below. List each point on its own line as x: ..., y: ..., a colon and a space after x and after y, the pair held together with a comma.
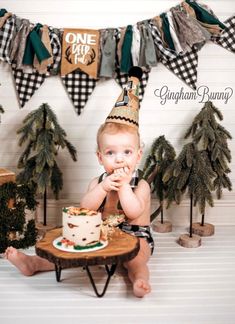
x: 110, y: 272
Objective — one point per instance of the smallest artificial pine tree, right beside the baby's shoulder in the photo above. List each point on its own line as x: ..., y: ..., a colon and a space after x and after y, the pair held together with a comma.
x: 162, y: 154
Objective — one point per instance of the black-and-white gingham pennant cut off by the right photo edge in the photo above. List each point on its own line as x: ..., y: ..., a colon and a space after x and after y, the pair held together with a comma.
x: 227, y: 37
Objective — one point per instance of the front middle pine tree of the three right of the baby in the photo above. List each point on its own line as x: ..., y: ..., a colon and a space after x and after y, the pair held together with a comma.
x: 192, y: 172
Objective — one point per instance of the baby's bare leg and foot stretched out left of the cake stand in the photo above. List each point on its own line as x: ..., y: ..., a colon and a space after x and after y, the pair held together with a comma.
x: 27, y: 264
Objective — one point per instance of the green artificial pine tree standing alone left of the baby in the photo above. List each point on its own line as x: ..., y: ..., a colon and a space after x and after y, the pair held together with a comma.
x: 44, y: 137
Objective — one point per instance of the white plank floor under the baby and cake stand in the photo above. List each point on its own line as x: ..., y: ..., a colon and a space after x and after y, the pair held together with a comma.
x: 188, y: 286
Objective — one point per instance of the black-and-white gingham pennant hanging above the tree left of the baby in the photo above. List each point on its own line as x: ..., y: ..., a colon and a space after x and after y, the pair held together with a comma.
x: 26, y: 84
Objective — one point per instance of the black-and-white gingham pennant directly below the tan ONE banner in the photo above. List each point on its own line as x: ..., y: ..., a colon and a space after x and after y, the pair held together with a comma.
x: 79, y: 86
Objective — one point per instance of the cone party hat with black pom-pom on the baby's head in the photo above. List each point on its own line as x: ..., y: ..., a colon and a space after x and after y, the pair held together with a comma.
x: 126, y: 109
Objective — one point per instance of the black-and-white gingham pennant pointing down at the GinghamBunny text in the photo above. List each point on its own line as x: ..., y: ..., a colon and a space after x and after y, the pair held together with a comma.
x: 184, y: 66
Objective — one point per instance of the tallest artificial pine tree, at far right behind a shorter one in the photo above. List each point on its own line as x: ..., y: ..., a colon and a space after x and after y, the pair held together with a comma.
x: 212, y: 138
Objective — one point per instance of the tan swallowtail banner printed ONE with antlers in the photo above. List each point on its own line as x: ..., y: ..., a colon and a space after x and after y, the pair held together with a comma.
x: 80, y: 49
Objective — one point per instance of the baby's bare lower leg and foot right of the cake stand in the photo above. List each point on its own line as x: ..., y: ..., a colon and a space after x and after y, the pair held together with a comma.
x: 138, y: 271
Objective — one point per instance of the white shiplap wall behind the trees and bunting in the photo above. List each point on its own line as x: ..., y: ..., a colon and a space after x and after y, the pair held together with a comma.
x: 216, y: 70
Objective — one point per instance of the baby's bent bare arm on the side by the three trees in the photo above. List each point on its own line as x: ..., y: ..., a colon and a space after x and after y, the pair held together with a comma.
x: 134, y: 202
